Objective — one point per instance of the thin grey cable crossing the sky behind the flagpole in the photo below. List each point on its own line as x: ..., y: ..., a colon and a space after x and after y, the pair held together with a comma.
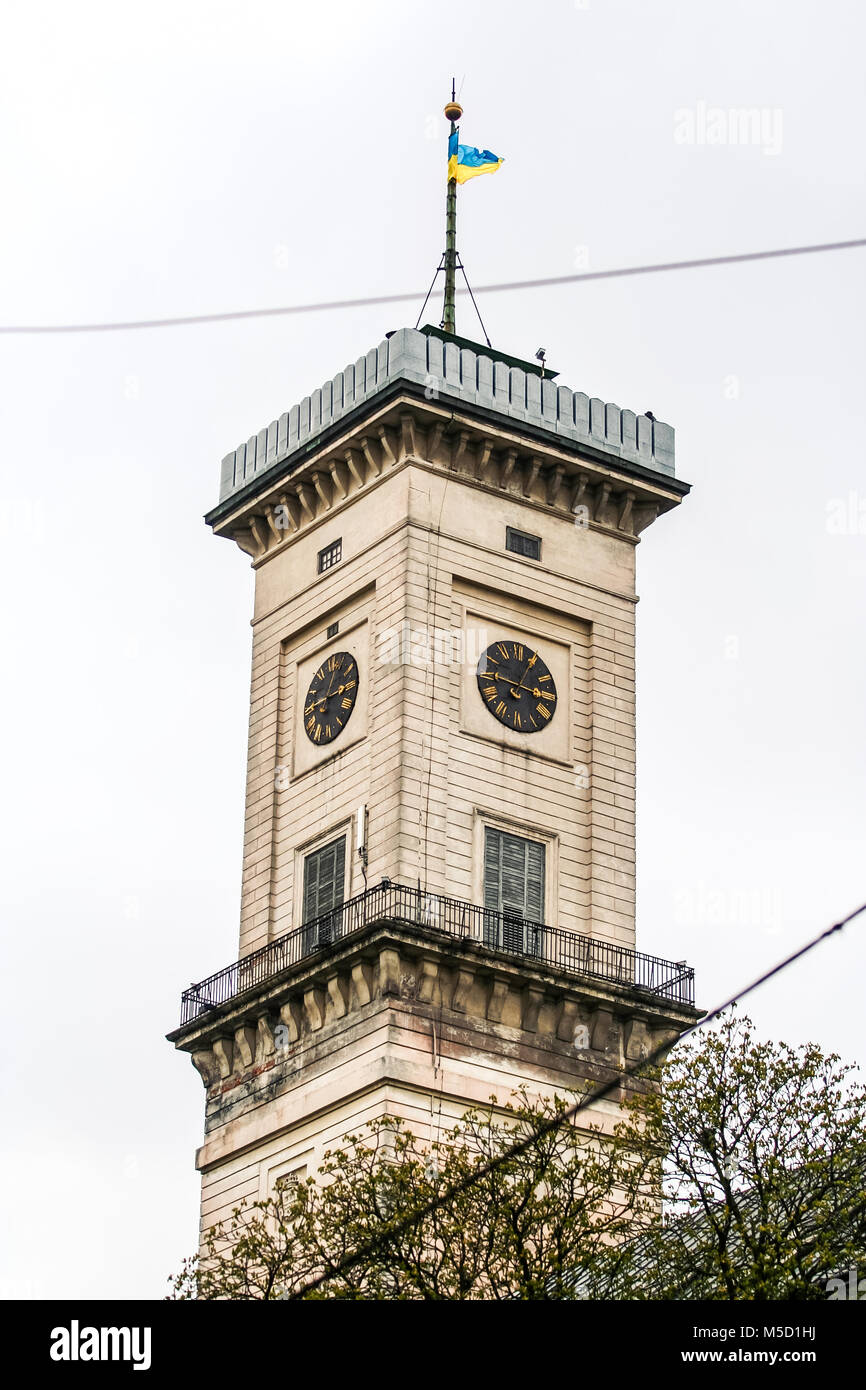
x: 322, y: 306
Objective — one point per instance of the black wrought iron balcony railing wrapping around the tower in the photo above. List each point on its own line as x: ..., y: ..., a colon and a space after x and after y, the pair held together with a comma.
x: 501, y: 932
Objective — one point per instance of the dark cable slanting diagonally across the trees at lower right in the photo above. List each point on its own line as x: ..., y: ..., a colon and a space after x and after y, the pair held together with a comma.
x: 558, y: 1121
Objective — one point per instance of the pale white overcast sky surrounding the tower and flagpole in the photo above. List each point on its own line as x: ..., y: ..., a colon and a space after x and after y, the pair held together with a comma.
x: 186, y: 158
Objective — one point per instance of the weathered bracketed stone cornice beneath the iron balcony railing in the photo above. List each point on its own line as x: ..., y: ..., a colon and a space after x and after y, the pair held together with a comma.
x: 420, y: 971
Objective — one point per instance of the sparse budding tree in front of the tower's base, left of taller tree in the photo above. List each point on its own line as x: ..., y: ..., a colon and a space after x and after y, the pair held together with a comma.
x: 521, y: 1231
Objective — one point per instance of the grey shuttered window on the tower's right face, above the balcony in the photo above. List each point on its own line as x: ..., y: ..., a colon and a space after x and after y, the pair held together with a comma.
x: 514, y: 886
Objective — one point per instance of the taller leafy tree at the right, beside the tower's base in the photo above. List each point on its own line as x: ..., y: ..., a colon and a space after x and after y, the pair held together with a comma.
x: 762, y: 1150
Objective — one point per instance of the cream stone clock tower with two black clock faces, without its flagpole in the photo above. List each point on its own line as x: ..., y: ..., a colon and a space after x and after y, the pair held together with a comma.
x: 440, y: 853
